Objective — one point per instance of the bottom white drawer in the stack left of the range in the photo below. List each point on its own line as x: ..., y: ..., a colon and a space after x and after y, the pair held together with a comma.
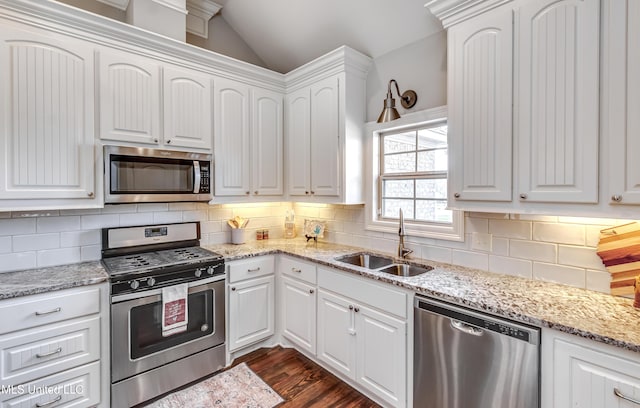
x: 79, y: 387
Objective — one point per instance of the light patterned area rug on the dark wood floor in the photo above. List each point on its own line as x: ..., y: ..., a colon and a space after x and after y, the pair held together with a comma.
x: 238, y: 387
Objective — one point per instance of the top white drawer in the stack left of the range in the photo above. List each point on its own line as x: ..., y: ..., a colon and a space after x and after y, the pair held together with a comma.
x: 36, y: 310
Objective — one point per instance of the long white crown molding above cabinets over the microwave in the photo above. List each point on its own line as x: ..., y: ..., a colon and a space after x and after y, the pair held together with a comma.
x: 74, y: 22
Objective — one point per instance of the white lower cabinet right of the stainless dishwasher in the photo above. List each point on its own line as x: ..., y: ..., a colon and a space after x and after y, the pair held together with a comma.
x: 580, y: 373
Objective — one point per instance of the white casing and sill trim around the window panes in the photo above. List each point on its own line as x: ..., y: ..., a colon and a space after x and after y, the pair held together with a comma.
x: 449, y: 232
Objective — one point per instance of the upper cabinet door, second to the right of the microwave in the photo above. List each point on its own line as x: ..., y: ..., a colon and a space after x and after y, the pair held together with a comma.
x: 267, y: 142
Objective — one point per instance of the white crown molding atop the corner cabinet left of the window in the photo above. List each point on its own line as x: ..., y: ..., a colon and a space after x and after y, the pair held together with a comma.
x: 339, y: 60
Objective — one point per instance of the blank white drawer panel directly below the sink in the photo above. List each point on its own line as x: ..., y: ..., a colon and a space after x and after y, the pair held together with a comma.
x: 364, y: 290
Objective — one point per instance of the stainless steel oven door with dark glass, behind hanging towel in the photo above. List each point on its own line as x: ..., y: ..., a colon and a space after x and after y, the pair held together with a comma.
x: 137, y: 344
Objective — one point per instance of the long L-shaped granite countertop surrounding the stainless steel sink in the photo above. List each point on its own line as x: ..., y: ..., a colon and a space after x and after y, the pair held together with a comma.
x: 593, y: 315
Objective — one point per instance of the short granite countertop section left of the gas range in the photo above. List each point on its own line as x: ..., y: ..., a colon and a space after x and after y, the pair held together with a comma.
x: 41, y: 280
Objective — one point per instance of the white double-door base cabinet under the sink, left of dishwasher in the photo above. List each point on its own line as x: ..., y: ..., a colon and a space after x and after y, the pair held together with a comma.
x: 359, y: 339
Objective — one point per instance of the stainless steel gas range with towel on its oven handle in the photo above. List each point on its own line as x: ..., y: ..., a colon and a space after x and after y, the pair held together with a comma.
x: 167, y: 309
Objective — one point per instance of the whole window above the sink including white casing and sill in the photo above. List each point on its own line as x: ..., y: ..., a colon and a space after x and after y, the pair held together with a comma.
x: 407, y: 168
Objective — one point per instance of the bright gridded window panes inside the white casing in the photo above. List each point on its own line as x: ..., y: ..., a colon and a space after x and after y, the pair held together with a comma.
x: 413, y: 174
